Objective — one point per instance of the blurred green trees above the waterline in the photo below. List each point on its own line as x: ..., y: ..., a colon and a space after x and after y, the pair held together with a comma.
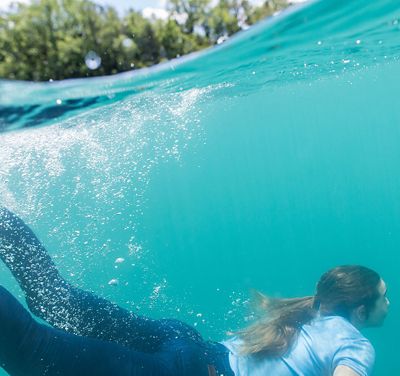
x: 58, y: 39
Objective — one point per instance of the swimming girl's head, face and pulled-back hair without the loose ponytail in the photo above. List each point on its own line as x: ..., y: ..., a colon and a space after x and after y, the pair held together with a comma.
x: 354, y: 292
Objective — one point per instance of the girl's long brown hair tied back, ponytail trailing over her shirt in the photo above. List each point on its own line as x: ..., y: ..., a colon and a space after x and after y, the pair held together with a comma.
x: 339, y: 291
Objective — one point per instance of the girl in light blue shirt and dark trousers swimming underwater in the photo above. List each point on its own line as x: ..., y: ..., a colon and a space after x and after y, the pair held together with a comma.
x: 315, y: 335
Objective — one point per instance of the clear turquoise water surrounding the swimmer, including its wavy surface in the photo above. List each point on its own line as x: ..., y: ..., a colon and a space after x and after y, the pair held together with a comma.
x: 256, y: 164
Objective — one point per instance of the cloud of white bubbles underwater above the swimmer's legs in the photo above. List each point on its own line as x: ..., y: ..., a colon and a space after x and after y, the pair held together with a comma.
x: 47, y: 171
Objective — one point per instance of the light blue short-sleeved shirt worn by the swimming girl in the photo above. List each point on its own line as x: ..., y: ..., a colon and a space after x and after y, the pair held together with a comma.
x: 321, y: 346
